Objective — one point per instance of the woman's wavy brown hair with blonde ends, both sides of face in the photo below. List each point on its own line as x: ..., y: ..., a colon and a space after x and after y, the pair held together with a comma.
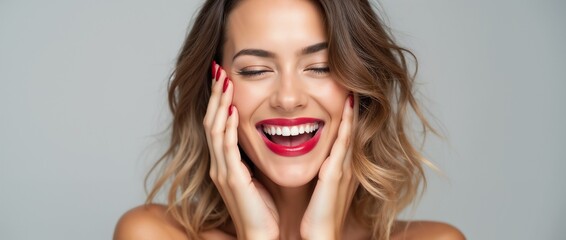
x: 363, y: 58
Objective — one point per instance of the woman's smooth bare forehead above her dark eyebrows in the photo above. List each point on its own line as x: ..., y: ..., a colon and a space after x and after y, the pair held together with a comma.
x: 268, y: 24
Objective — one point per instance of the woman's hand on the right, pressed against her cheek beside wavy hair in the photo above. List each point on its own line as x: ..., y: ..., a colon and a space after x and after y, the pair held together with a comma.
x: 336, y: 185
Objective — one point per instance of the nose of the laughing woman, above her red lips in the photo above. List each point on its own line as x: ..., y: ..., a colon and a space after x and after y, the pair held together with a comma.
x: 289, y: 94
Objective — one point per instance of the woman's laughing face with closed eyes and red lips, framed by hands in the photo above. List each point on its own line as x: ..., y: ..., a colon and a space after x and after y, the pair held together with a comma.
x: 276, y: 56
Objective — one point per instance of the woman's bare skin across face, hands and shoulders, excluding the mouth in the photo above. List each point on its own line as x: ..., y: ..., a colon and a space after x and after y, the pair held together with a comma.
x: 302, y: 197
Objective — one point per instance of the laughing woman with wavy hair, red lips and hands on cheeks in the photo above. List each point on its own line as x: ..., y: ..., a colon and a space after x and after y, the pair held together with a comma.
x: 299, y: 134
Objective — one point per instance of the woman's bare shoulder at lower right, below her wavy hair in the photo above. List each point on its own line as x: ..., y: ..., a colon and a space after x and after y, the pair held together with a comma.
x: 425, y: 230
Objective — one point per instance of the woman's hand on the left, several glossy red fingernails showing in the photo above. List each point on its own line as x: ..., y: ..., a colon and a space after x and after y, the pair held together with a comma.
x: 250, y: 205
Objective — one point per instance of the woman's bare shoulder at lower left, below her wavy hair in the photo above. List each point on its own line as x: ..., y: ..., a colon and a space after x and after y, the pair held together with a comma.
x: 152, y: 222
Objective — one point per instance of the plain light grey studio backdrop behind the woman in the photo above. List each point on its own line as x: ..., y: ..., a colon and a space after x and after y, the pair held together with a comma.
x: 82, y: 109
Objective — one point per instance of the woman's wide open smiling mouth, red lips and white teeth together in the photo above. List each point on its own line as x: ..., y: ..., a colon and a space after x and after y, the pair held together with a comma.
x: 290, y: 137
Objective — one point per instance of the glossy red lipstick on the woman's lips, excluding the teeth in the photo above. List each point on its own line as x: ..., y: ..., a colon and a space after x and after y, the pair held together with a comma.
x: 290, y: 151
